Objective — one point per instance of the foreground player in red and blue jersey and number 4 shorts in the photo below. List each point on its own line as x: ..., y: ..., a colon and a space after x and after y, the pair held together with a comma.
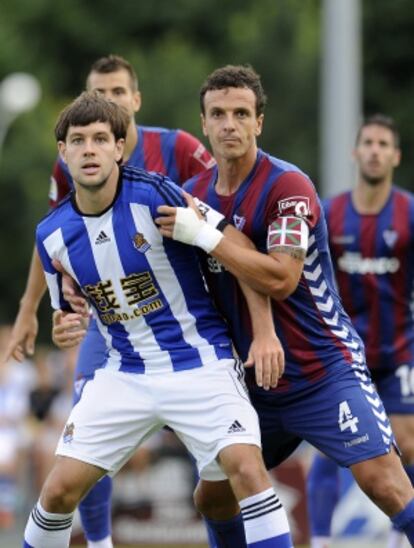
x: 325, y: 395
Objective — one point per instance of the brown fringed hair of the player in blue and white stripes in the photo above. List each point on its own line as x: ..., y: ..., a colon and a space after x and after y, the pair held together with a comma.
x: 92, y: 107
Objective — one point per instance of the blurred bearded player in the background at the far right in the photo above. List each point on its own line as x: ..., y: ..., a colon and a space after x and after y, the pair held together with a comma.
x: 371, y: 237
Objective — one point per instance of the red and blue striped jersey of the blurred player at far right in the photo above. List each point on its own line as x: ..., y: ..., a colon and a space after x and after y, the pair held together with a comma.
x: 373, y: 256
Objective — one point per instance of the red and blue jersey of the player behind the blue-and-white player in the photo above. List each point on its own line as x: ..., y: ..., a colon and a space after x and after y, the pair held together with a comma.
x: 172, y: 152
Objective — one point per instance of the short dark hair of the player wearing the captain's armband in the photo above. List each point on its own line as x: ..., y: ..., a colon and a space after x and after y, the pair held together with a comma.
x: 235, y: 76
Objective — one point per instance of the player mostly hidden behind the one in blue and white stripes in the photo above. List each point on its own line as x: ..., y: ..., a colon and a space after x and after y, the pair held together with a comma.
x: 173, y: 152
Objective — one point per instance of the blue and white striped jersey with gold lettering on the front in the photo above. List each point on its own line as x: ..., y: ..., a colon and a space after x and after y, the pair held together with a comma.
x: 148, y: 292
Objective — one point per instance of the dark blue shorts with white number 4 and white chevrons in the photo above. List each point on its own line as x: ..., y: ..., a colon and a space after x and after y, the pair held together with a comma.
x: 342, y: 416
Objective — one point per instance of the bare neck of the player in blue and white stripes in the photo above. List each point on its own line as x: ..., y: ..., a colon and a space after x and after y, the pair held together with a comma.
x: 95, y: 201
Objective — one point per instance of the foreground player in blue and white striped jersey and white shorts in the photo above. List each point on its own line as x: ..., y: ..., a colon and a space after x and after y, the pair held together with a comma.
x: 169, y: 361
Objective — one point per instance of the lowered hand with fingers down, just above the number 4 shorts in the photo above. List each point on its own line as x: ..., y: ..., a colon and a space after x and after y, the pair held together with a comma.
x: 268, y: 358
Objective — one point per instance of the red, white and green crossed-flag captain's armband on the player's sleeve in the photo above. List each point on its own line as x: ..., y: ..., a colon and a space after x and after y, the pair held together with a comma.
x: 288, y: 232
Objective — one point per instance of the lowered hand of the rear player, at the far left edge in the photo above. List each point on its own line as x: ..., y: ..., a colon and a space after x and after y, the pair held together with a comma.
x: 23, y: 336
